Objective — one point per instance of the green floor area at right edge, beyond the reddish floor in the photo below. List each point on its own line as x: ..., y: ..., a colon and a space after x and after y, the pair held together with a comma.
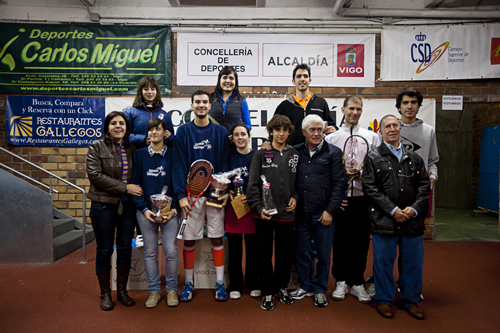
x: 460, y: 225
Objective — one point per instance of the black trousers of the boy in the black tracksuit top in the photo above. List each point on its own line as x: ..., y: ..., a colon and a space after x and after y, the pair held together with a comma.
x: 284, y: 252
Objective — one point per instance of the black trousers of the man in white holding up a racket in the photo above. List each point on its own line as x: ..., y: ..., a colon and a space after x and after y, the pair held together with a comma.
x: 351, y: 243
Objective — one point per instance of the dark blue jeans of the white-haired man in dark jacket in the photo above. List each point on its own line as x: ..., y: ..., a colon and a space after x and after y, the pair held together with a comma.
x: 308, y: 223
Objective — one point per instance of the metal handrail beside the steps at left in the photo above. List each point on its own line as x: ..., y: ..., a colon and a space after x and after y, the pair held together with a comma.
x: 51, y: 191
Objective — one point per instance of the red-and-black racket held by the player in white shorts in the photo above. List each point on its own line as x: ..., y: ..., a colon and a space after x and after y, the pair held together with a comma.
x: 198, y: 180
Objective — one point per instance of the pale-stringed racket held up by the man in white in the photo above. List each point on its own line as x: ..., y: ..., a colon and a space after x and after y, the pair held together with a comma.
x: 354, y: 156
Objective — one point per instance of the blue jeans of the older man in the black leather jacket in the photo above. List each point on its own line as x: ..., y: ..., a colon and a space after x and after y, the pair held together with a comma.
x: 412, y: 267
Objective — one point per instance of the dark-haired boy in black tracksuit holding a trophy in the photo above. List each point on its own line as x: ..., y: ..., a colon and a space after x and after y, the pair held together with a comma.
x: 272, y: 176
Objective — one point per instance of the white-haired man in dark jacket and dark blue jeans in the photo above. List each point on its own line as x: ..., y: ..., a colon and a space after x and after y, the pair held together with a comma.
x: 321, y: 185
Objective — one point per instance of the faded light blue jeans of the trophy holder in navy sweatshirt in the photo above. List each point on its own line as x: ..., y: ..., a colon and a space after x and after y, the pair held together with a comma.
x: 169, y: 240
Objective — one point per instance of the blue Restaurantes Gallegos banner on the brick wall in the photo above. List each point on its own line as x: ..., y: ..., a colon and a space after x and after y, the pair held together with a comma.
x: 54, y: 121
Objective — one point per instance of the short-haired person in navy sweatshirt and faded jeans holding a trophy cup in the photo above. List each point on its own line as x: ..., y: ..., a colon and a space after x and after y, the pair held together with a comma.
x: 156, y: 209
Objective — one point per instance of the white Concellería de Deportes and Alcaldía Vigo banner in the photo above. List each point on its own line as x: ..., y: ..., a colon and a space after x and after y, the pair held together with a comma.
x: 339, y: 60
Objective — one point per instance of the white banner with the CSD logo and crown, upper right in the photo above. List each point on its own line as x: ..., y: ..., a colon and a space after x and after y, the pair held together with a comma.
x: 444, y: 52
